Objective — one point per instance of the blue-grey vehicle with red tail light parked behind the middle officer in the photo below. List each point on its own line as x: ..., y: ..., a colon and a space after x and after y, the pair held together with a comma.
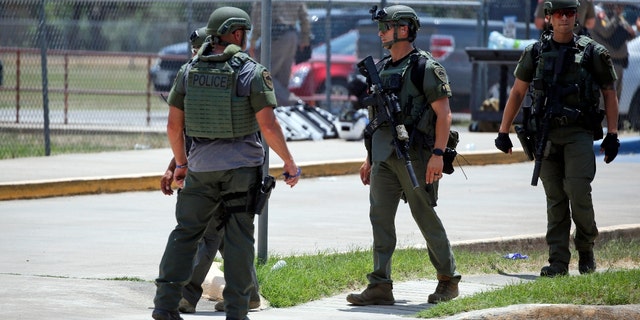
x: 446, y: 39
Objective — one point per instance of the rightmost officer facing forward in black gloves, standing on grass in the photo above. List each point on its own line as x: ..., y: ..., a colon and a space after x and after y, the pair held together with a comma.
x: 566, y: 98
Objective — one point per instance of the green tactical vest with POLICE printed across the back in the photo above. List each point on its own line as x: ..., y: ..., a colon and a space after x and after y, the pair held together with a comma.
x: 213, y: 109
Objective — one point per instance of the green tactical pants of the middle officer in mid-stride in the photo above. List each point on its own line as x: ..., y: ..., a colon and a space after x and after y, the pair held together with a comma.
x: 388, y: 180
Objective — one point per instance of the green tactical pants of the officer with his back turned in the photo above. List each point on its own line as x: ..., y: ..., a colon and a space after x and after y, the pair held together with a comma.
x: 199, y: 201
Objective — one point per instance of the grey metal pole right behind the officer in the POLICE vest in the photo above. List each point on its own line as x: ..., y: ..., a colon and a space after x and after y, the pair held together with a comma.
x: 265, y: 58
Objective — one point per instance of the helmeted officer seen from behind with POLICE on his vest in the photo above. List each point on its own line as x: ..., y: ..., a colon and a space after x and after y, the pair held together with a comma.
x: 221, y: 178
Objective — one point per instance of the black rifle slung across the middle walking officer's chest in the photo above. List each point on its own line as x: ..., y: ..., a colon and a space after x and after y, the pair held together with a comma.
x: 388, y: 110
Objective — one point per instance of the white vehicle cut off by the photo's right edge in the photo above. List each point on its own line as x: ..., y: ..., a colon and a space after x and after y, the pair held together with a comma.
x: 629, y: 105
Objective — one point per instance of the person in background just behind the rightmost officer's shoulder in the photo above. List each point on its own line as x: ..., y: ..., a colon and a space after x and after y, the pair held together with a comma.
x: 613, y: 31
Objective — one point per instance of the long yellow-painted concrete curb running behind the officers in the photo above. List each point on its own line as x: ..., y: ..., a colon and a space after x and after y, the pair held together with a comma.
x: 151, y: 181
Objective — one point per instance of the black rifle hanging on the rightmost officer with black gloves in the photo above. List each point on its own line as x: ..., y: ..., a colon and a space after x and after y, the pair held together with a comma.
x: 552, y: 107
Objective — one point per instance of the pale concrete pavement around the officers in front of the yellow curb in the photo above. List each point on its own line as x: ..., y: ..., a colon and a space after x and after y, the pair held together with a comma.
x: 57, y: 252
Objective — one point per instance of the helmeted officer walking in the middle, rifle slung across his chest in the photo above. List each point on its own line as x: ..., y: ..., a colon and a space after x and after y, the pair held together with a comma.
x: 427, y: 116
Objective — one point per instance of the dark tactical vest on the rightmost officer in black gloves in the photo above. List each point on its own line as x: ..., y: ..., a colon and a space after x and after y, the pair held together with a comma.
x: 587, y: 97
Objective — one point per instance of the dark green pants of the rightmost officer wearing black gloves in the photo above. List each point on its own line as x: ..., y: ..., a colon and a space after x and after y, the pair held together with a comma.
x: 566, y: 175
